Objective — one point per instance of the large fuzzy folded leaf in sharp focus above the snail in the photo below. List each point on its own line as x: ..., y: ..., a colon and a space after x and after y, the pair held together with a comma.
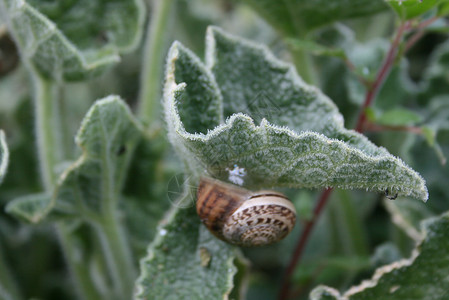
x: 300, y: 140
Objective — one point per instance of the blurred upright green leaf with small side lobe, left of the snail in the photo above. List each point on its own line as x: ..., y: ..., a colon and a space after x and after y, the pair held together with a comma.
x: 93, y: 183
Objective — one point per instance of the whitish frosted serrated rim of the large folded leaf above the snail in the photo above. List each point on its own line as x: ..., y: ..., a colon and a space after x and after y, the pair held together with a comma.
x: 171, y: 88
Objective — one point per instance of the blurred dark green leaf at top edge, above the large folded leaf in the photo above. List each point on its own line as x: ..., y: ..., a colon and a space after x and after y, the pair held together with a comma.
x: 297, y: 17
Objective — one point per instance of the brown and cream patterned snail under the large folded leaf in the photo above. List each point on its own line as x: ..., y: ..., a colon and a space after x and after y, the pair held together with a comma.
x: 243, y: 217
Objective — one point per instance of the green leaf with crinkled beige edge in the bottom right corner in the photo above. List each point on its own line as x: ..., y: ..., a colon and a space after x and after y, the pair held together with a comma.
x: 423, y: 276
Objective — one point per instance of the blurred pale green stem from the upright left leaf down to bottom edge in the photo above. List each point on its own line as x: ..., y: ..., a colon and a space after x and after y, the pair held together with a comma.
x: 118, y: 255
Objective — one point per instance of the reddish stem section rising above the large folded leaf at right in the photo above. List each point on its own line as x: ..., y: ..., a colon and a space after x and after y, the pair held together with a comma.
x: 381, y: 75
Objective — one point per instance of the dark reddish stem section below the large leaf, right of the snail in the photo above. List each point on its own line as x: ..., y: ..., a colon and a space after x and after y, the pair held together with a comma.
x: 299, y: 250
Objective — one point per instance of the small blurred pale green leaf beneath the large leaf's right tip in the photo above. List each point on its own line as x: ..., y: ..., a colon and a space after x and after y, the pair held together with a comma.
x: 408, y: 215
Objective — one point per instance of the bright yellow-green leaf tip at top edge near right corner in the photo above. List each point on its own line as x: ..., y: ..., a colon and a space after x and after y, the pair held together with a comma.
x: 409, y: 9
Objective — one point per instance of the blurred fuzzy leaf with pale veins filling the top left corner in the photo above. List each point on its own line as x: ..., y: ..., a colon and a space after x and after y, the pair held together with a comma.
x: 73, y: 39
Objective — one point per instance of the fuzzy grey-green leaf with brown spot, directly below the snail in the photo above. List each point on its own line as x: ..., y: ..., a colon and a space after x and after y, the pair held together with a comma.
x: 186, y: 261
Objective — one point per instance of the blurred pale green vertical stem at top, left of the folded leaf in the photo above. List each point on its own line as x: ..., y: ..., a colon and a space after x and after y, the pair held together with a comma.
x: 151, y: 82
